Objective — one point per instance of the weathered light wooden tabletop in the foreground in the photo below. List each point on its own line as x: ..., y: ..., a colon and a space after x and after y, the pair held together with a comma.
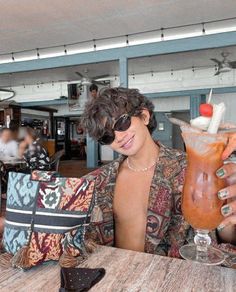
x: 128, y: 271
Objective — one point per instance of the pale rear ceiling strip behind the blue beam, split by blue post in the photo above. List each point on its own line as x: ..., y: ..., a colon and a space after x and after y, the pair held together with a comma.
x: 160, y: 63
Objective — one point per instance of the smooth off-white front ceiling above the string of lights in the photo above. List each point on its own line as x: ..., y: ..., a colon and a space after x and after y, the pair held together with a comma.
x: 34, y: 24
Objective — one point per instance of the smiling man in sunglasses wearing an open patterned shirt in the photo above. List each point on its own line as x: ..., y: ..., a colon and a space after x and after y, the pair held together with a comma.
x: 138, y: 196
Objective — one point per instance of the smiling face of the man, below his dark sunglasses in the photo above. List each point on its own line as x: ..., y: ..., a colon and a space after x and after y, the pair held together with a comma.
x: 133, y: 139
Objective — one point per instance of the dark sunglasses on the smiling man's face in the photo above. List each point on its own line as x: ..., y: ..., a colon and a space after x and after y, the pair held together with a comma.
x: 121, y: 124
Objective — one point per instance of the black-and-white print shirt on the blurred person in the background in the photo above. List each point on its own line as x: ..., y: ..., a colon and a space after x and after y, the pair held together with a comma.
x: 36, y: 157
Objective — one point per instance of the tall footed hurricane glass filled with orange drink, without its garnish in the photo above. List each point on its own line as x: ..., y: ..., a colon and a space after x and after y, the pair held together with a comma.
x: 200, y: 204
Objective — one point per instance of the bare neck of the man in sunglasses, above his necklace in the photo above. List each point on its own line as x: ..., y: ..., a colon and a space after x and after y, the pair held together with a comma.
x: 146, y: 156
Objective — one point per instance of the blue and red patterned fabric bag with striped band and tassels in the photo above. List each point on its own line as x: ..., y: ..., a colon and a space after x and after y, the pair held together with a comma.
x: 46, y: 215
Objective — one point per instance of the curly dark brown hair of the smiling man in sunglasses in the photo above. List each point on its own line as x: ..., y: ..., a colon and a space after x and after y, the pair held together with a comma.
x: 110, y: 104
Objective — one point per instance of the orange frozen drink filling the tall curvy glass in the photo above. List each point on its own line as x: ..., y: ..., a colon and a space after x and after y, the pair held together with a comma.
x: 200, y: 203
